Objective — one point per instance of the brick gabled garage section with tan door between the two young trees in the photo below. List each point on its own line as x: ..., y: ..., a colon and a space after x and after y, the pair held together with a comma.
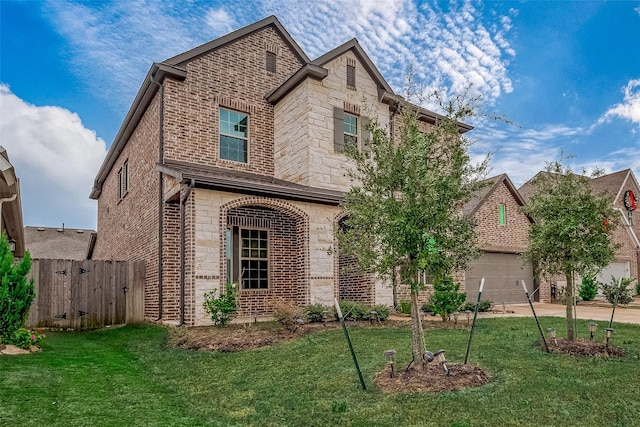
x: 502, y: 236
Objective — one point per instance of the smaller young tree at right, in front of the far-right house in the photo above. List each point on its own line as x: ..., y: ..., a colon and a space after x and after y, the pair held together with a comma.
x: 572, y: 228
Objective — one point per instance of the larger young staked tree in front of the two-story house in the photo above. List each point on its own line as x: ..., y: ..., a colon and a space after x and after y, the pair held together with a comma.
x: 404, y: 208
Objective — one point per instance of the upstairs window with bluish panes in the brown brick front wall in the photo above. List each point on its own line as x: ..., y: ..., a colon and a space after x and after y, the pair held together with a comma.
x: 234, y: 136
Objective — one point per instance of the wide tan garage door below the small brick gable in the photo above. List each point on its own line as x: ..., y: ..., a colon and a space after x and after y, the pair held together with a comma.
x: 502, y: 273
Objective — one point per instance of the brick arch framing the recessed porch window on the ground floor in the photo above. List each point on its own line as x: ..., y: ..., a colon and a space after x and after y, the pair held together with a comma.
x: 256, y: 302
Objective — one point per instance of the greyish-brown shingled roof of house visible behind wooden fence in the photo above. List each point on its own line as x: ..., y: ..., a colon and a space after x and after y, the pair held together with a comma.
x: 57, y: 243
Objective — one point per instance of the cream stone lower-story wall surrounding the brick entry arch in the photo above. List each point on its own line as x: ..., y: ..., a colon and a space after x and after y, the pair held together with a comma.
x: 311, y: 281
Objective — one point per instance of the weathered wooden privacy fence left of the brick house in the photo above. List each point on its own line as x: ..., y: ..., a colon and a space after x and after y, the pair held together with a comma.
x: 86, y: 294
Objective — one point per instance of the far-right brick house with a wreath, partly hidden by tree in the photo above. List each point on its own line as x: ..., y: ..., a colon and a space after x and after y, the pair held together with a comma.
x: 622, y: 189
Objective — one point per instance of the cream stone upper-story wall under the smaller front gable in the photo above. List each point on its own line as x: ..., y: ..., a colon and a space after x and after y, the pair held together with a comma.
x: 304, y: 130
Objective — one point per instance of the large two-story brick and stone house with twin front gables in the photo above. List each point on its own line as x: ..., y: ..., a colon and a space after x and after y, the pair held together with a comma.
x: 230, y: 166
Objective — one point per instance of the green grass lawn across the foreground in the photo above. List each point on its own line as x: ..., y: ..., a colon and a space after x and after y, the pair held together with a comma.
x: 128, y: 377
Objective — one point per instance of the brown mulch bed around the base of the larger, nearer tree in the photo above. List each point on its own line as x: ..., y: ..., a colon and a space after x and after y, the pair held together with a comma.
x: 432, y: 379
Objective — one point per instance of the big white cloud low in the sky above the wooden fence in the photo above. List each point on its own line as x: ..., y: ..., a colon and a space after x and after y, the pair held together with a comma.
x: 55, y: 158
